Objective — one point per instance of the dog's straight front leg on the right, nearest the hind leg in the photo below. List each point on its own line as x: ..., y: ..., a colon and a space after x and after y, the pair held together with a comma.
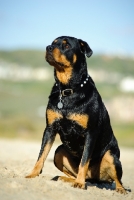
x: 84, y: 164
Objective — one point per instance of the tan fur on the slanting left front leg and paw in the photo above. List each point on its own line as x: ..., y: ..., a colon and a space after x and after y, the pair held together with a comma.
x: 40, y: 163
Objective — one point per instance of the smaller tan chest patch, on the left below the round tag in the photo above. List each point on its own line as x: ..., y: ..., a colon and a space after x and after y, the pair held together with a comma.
x: 52, y: 116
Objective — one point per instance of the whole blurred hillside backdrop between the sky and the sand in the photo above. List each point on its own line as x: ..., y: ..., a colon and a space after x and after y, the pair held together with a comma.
x: 25, y: 84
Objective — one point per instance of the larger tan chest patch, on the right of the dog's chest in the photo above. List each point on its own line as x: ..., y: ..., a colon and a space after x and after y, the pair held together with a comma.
x: 81, y: 119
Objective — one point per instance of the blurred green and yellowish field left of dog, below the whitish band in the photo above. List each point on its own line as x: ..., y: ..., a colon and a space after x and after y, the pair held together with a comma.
x: 19, y: 107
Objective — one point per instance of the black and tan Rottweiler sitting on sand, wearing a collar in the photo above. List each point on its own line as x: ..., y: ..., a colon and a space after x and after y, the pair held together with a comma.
x: 76, y: 112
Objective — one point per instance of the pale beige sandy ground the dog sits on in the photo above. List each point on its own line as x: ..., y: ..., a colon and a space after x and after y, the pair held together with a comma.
x: 17, y: 158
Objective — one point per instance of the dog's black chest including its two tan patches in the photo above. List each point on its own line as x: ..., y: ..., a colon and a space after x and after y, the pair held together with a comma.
x: 71, y: 128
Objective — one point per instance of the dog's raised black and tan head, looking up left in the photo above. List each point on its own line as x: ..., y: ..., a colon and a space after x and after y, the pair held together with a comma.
x: 65, y: 53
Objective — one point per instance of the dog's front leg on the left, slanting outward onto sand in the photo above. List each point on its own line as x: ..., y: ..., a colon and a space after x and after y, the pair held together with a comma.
x: 47, y: 141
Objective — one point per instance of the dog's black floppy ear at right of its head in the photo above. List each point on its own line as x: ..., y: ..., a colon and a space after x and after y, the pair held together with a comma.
x: 85, y: 48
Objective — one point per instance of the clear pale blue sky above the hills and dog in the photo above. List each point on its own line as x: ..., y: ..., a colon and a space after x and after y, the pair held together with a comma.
x: 107, y: 25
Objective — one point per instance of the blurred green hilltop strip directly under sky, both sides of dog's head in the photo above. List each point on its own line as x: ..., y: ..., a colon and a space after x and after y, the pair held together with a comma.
x: 35, y: 58
